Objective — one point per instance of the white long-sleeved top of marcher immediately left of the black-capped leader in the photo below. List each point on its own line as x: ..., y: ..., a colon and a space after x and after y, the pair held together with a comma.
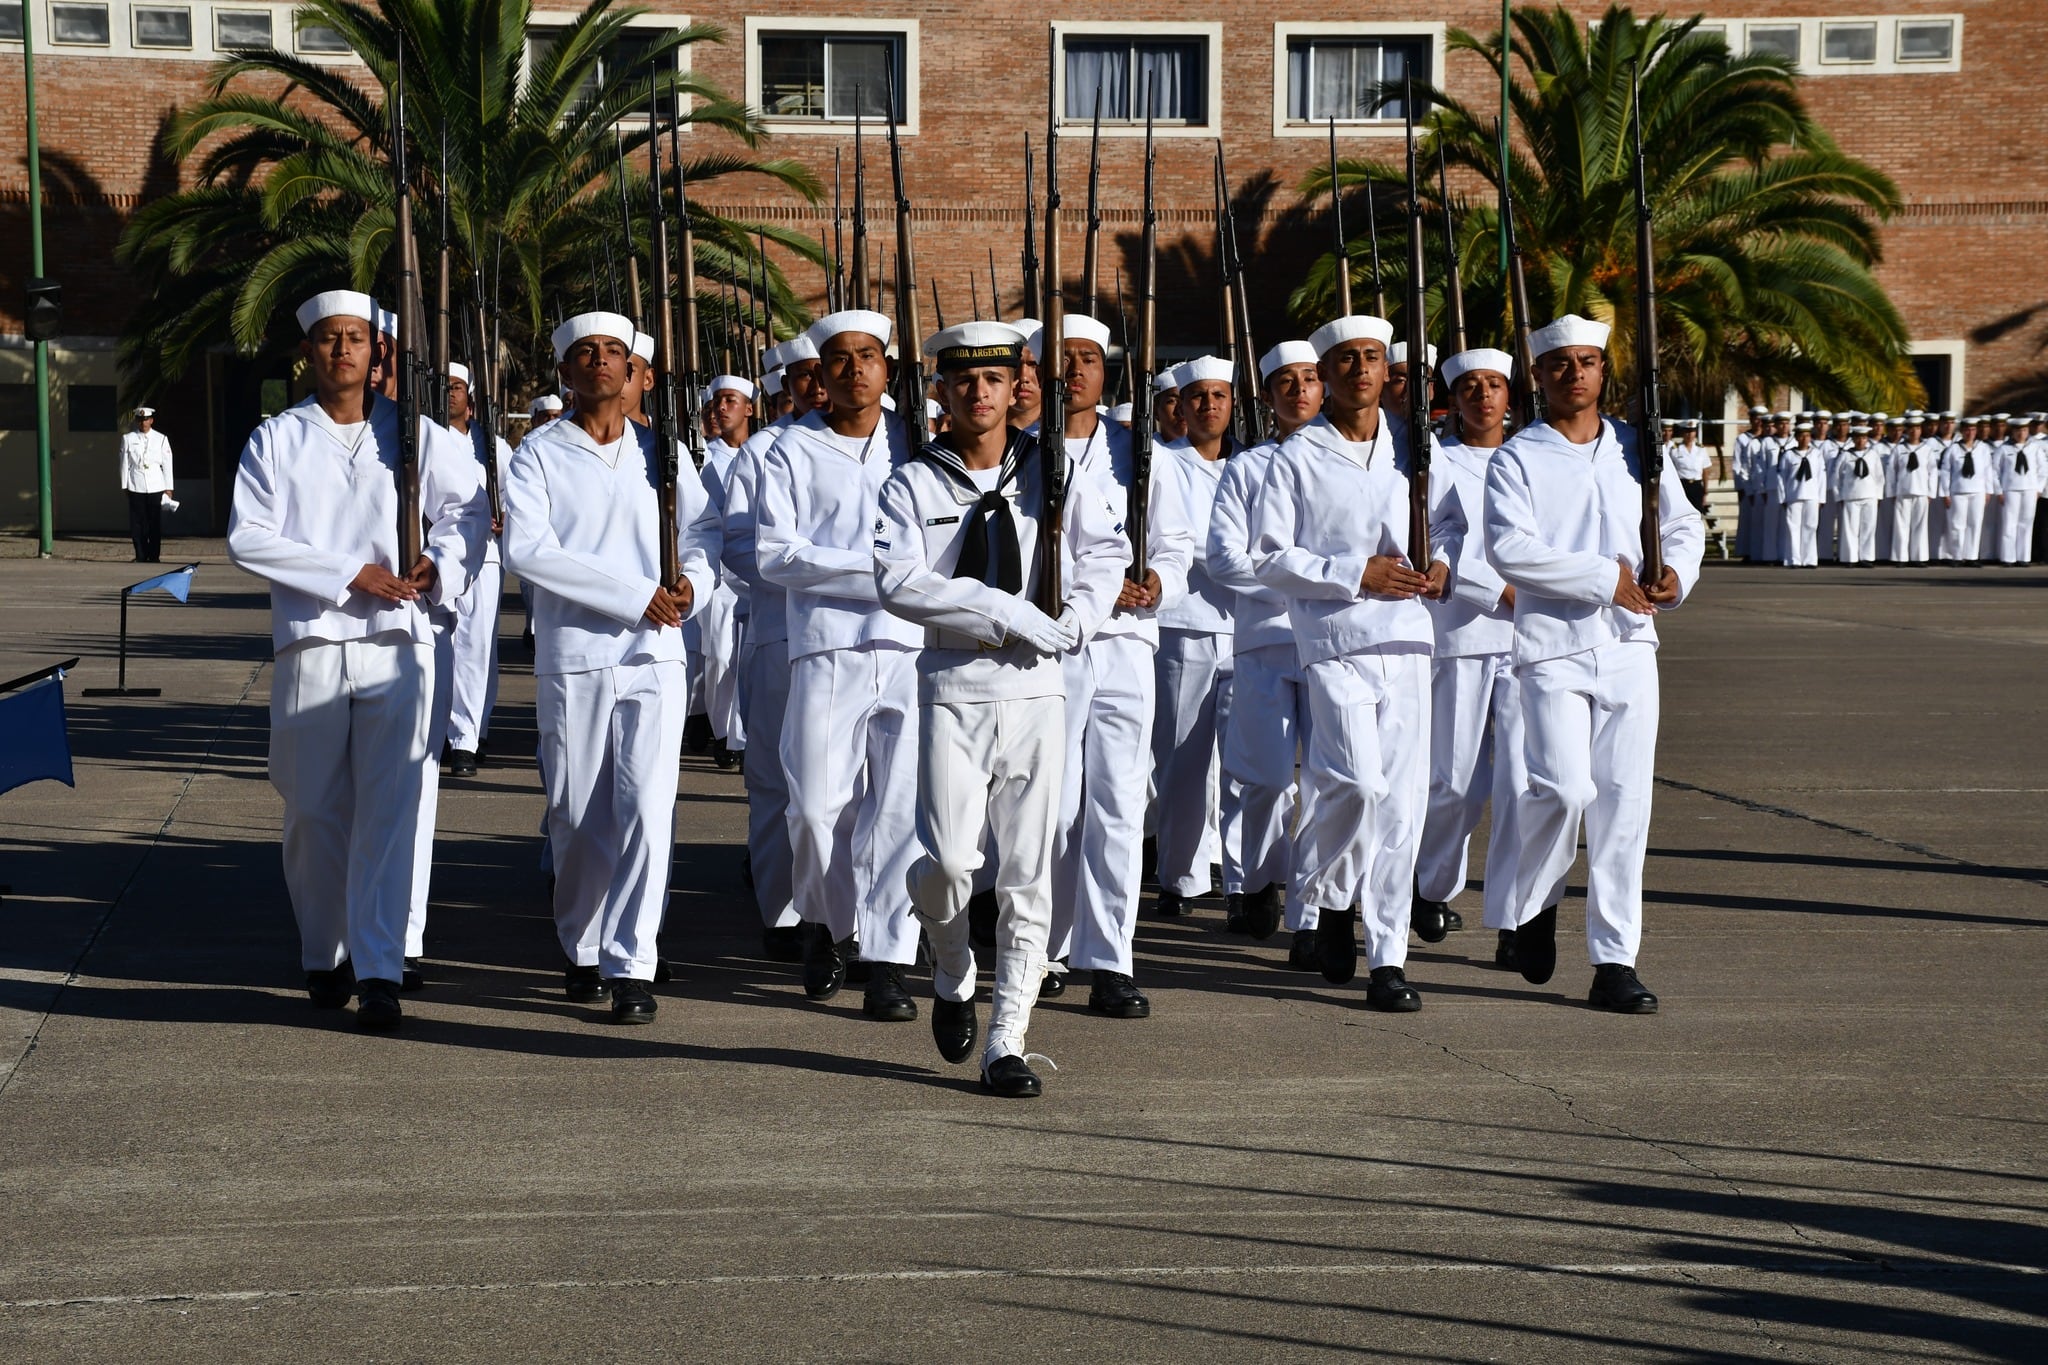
x: 820, y: 498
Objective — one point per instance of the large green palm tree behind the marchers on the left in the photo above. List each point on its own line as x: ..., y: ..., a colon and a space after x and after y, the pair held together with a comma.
x: 294, y: 189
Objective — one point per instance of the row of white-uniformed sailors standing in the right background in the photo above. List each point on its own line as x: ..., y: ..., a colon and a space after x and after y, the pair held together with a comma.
x: 1867, y: 488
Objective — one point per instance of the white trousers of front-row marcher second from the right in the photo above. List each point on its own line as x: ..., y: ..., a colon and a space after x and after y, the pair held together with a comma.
x: 1369, y: 764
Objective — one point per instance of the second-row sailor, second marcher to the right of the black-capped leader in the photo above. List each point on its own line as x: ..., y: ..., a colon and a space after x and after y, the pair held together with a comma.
x: 1197, y: 801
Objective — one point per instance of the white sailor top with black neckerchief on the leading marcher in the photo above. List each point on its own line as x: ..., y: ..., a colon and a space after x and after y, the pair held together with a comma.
x: 970, y: 652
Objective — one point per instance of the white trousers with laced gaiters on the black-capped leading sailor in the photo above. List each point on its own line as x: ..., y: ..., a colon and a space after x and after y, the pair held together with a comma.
x: 988, y: 789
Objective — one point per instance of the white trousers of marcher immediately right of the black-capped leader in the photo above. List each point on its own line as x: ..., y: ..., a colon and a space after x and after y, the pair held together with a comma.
x: 1103, y: 803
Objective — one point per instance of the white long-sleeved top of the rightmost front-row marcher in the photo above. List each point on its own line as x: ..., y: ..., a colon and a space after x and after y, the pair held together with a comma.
x: 1560, y: 517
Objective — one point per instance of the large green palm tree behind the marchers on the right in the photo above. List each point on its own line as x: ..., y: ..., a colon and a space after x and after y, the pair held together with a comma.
x: 1766, y: 230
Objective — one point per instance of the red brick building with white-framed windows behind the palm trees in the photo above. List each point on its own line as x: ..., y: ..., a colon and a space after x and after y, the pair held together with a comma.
x: 1928, y: 91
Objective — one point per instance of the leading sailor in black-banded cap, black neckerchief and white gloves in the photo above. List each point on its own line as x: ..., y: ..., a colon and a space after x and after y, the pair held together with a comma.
x: 959, y: 556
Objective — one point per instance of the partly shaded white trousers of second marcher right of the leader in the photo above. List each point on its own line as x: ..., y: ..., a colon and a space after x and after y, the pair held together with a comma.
x: 1197, y: 799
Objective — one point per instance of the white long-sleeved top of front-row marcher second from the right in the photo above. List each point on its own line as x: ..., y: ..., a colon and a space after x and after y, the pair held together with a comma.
x: 1328, y: 507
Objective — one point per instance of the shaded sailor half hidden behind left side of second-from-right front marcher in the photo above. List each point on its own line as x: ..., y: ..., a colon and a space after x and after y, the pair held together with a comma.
x: 1271, y: 711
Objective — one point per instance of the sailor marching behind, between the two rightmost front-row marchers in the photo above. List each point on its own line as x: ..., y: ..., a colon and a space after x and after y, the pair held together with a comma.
x: 1476, y: 709
